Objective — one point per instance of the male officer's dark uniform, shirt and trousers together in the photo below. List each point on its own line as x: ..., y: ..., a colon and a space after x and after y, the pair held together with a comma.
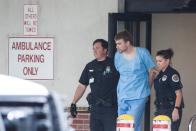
x: 102, y: 78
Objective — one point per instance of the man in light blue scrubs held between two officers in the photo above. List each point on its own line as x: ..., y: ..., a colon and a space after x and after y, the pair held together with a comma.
x: 135, y: 67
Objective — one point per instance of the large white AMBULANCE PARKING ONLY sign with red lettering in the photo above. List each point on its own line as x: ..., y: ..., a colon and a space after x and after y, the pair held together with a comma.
x: 31, y: 58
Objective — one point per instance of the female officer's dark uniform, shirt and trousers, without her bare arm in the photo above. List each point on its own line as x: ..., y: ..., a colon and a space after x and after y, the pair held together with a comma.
x: 165, y: 84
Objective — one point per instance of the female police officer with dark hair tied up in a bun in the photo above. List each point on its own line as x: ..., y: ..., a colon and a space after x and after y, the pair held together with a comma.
x: 168, y: 88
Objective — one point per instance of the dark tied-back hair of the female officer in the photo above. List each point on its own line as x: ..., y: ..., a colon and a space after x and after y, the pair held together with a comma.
x: 166, y: 54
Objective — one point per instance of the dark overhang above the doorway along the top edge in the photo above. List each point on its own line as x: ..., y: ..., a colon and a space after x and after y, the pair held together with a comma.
x: 156, y: 6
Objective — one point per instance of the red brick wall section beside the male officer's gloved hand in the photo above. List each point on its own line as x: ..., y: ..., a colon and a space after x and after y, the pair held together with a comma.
x: 81, y: 122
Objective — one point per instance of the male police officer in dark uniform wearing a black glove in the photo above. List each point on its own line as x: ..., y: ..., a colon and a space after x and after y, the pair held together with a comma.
x: 102, y: 77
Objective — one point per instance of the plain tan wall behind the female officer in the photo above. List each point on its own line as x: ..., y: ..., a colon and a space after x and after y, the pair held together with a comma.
x: 178, y: 31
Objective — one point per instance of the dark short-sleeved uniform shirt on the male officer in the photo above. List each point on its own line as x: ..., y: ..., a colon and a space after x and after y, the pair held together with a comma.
x: 102, y: 78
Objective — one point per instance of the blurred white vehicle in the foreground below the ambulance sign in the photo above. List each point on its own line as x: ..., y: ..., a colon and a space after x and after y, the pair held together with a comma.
x: 28, y: 106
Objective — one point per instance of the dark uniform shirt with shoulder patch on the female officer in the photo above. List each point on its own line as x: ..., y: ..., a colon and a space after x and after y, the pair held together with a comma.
x: 166, y: 83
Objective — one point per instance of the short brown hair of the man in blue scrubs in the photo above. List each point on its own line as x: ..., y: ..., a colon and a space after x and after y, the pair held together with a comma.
x: 125, y: 35
